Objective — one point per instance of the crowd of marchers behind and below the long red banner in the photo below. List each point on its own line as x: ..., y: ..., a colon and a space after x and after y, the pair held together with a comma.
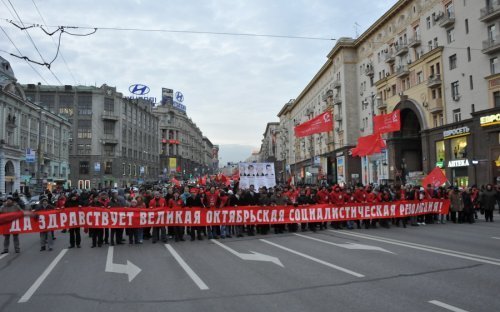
x: 466, y: 206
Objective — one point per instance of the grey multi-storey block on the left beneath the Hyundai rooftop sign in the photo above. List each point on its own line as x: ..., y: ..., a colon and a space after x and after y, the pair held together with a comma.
x: 113, y: 140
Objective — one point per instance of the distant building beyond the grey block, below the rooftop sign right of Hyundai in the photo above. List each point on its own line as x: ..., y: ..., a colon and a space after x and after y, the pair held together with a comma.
x: 184, y: 151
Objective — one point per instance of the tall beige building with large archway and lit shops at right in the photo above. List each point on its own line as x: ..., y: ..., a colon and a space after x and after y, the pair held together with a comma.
x: 434, y: 60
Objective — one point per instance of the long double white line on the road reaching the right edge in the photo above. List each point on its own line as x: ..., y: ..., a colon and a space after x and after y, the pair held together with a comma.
x: 447, y: 252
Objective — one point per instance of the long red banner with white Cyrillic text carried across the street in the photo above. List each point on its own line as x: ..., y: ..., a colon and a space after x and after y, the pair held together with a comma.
x: 134, y: 218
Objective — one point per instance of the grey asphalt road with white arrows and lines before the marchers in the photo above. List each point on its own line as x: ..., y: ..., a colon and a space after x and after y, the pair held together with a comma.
x: 450, y: 267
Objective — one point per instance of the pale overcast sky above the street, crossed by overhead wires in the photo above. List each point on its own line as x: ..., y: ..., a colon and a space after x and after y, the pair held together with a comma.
x: 232, y: 85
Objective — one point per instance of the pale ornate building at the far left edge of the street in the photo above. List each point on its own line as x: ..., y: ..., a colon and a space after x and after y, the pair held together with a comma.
x: 34, y: 141
